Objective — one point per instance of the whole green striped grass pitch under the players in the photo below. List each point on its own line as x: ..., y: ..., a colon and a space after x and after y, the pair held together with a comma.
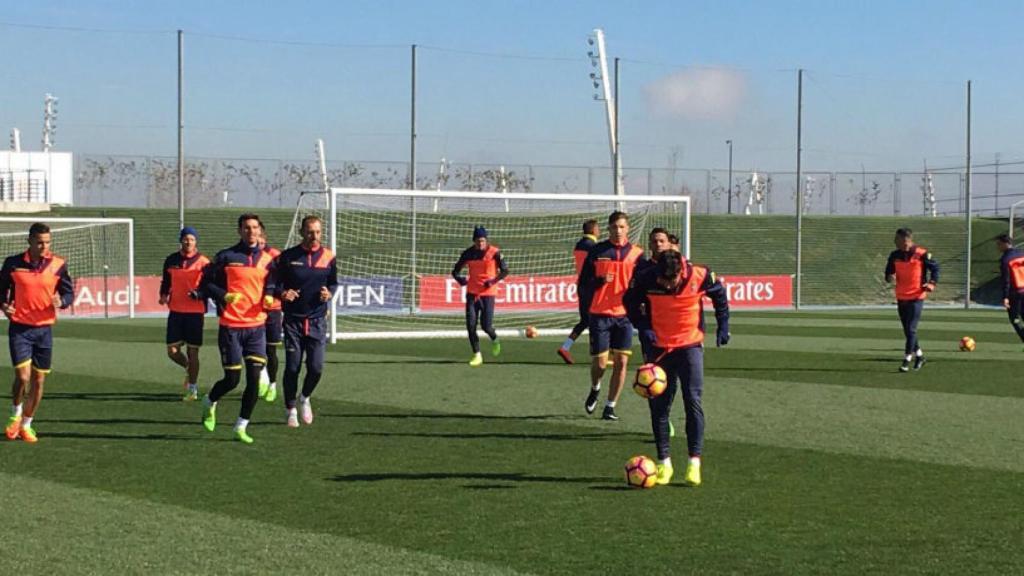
x: 821, y: 459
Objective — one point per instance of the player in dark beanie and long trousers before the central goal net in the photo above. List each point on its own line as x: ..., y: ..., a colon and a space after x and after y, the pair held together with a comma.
x: 487, y: 269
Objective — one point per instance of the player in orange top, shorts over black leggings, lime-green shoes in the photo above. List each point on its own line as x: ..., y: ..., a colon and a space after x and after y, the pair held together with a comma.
x: 240, y: 280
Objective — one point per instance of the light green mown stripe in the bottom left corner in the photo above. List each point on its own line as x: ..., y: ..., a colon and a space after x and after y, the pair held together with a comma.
x: 65, y: 529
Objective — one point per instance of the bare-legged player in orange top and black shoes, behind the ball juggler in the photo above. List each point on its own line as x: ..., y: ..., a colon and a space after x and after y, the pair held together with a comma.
x: 607, y: 274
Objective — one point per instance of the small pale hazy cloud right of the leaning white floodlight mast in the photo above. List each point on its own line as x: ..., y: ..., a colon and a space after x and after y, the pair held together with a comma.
x: 699, y: 94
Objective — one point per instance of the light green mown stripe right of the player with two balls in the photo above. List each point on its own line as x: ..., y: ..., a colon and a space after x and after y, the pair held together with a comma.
x: 937, y: 428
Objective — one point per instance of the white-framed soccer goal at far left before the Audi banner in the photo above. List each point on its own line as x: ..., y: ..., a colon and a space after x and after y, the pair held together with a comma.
x: 101, y: 257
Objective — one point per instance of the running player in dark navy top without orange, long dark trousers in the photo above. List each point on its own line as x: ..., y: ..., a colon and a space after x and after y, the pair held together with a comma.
x: 308, y: 278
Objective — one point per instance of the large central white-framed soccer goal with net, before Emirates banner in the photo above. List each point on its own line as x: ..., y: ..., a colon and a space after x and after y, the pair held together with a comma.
x: 396, y: 251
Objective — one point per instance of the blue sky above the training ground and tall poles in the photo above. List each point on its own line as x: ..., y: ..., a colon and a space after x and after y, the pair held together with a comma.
x: 885, y: 87
